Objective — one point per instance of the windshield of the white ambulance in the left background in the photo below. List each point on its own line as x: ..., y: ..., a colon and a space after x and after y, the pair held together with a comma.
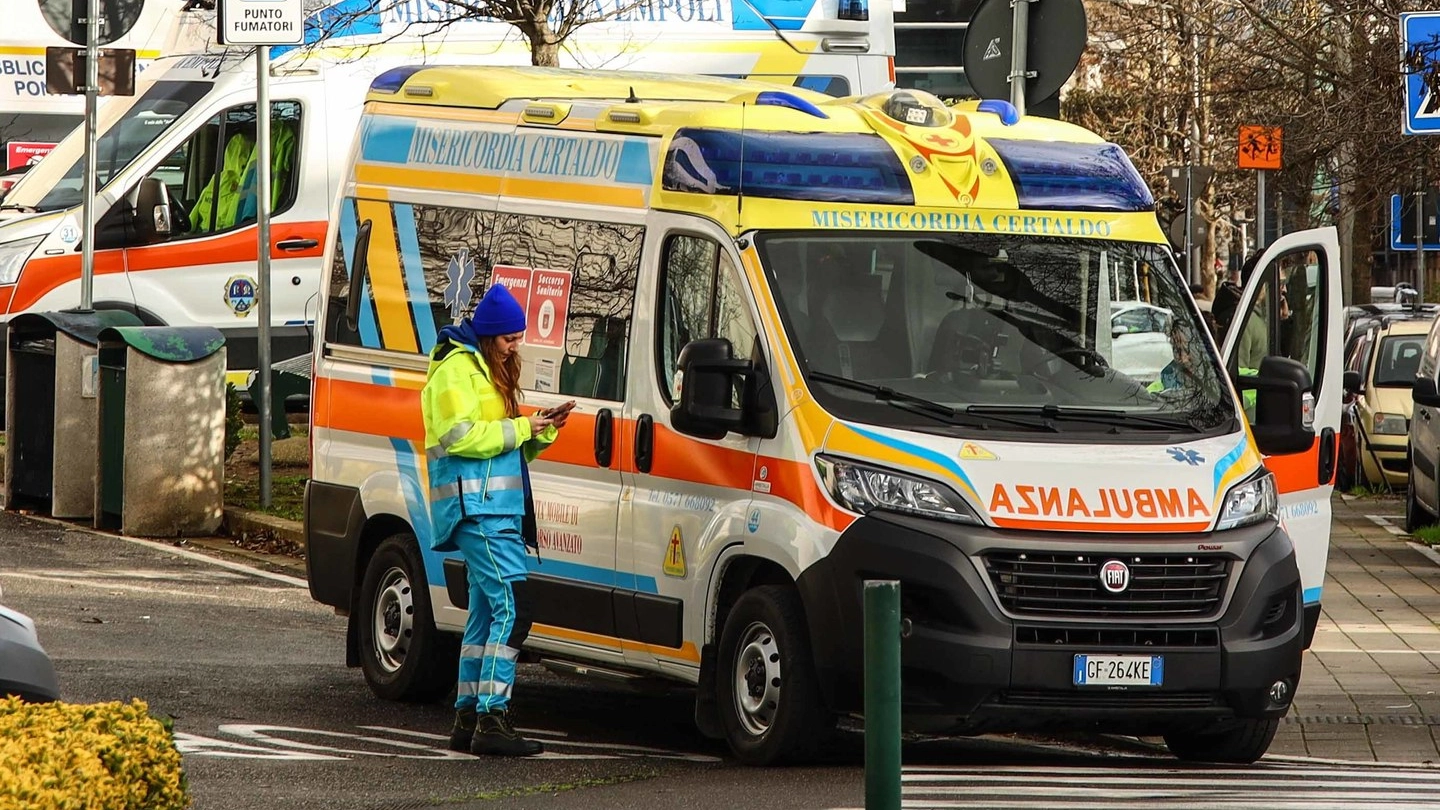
x: 126, y: 126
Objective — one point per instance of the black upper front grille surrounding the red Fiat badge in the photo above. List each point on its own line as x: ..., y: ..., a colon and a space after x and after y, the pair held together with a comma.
x: 1069, y: 584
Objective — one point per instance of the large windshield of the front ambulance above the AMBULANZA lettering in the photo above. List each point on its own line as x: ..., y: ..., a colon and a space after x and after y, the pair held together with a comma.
x: 1014, y: 332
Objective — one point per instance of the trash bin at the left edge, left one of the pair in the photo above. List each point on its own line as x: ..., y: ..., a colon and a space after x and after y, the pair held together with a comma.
x: 51, y: 391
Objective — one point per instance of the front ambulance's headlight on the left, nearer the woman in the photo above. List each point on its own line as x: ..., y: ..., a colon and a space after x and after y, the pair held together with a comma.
x: 860, y: 489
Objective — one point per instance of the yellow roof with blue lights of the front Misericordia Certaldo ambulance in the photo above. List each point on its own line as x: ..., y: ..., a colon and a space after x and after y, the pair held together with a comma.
x: 731, y: 138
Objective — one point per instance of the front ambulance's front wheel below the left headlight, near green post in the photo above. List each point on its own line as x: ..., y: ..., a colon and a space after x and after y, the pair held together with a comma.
x: 767, y: 690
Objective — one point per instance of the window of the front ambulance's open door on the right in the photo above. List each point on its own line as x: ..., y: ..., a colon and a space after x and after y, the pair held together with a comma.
x: 1285, y: 315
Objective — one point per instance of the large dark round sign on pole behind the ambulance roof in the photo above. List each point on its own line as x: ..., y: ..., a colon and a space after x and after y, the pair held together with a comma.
x: 1053, y: 48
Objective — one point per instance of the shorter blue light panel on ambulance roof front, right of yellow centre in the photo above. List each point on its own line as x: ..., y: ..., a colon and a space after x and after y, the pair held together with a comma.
x: 1061, y: 177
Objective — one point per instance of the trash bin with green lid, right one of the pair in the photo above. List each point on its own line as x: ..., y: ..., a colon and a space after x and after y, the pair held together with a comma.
x: 161, y: 469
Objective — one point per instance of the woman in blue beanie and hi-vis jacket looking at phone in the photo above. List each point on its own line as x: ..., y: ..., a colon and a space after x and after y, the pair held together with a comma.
x: 477, y: 449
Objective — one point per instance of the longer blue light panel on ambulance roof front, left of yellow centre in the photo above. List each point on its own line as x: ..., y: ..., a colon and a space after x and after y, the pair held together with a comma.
x: 791, y: 166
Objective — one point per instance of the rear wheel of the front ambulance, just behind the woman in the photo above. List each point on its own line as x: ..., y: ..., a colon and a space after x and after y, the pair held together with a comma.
x: 402, y: 655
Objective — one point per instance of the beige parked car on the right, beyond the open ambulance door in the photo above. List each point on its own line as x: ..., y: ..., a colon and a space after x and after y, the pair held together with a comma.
x: 1380, y: 373
